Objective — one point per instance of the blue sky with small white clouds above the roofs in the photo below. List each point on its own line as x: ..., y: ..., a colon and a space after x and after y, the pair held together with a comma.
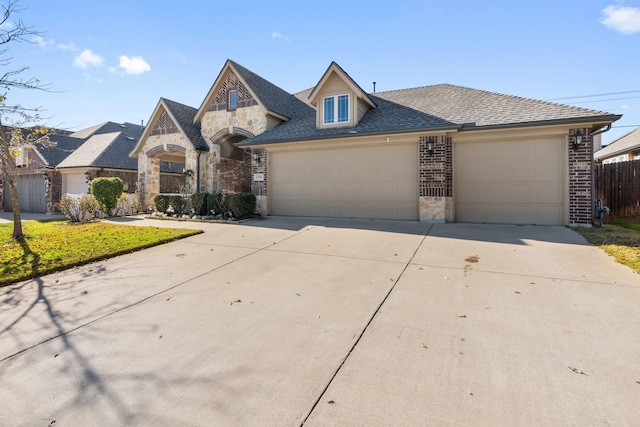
x: 113, y: 60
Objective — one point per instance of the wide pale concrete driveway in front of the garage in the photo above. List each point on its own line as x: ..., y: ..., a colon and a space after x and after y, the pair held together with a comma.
x: 317, y: 322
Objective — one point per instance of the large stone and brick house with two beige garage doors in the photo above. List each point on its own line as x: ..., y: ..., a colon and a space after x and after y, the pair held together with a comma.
x: 434, y: 153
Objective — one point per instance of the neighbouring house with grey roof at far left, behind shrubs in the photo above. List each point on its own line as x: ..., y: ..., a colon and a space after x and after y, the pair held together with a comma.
x: 69, y: 163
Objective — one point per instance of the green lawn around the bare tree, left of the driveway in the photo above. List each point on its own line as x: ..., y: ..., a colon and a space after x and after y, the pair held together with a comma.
x: 57, y: 245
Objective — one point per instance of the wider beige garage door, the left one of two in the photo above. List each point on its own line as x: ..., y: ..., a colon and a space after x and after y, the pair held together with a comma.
x: 356, y: 182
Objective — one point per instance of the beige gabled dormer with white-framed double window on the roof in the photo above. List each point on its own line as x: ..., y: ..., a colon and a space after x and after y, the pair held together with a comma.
x: 338, y: 100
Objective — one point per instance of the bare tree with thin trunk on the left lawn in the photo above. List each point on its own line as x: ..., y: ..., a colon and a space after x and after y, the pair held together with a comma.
x: 18, y: 124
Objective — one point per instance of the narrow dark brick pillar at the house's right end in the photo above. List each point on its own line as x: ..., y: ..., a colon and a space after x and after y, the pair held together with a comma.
x: 580, y: 175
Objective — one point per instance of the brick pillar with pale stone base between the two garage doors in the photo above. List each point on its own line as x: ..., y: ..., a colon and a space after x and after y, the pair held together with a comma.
x: 436, y: 180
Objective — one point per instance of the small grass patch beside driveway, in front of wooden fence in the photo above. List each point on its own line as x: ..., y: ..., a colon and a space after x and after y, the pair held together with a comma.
x: 620, y: 238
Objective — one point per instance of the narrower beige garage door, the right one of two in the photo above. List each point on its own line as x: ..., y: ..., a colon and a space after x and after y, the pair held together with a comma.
x: 511, y: 182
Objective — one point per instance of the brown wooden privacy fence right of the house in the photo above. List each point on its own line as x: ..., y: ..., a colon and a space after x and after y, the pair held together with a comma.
x: 618, y: 185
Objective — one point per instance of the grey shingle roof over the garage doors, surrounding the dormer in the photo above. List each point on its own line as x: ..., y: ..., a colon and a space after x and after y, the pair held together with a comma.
x: 433, y: 107
